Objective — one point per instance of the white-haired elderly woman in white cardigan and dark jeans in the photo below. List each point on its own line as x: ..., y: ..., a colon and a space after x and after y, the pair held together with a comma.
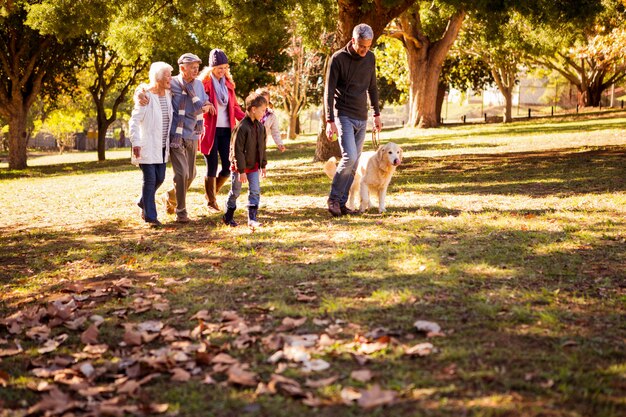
x: 149, y: 135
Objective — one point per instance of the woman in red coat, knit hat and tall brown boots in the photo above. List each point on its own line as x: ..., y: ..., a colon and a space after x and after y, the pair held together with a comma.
x: 215, y: 141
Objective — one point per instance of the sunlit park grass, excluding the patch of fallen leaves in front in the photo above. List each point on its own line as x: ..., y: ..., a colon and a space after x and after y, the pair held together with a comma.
x: 510, y: 237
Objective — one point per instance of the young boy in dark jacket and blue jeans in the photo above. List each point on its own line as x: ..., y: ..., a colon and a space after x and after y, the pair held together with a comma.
x: 247, y: 158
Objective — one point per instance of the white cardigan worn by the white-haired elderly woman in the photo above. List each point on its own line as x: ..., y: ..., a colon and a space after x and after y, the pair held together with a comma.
x: 146, y: 129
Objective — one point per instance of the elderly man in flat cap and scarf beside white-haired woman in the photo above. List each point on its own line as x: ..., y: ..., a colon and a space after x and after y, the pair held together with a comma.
x: 189, y: 102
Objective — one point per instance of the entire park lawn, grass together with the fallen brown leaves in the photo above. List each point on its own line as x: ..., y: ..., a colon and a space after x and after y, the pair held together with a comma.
x: 511, y: 238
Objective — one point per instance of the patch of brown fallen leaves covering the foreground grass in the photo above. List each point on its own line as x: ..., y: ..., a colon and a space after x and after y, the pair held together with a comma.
x: 74, y: 371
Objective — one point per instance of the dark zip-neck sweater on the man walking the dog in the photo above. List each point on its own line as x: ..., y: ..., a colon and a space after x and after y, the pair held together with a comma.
x: 349, y: 80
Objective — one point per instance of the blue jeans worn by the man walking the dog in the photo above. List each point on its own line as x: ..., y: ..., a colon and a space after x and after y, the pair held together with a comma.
x: 351, y: 139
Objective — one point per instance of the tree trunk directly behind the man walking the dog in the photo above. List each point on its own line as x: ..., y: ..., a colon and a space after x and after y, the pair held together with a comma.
x: 351, y: 13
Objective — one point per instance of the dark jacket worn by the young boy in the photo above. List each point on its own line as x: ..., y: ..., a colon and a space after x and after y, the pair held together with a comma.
x: 247, y: 145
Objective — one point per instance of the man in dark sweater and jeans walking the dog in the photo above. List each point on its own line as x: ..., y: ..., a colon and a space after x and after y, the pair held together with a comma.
x: 351, y: 78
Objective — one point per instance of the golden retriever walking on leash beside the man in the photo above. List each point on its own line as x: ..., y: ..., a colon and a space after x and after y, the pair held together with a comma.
x: 373, y: 175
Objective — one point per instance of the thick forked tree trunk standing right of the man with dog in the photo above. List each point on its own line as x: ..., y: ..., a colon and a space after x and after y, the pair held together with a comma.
x: 425, y: 62
